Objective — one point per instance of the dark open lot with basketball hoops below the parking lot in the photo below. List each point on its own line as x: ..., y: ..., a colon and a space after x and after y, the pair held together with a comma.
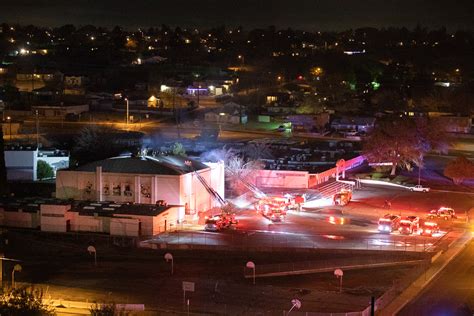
x: 62, y: 265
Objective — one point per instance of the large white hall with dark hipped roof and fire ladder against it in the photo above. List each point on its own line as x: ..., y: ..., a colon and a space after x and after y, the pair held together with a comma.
x: 176, y: 180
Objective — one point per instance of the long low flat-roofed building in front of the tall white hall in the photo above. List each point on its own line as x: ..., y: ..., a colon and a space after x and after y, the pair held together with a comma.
x: 128, y: 220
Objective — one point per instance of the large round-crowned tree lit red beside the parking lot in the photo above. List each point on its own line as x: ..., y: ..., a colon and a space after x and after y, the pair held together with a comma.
x: 403, y: 142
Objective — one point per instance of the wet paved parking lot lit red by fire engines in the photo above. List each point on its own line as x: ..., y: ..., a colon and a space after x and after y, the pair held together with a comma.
x: 350, y: 227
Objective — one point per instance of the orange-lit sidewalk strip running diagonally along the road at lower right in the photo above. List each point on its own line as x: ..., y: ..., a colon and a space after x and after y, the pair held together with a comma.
x: 423, y: 280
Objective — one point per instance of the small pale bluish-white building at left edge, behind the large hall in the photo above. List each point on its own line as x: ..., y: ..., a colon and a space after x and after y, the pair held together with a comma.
x: 22, y: 161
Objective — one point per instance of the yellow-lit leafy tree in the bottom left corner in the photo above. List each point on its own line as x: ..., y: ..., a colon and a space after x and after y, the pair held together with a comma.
x: 23, y: 301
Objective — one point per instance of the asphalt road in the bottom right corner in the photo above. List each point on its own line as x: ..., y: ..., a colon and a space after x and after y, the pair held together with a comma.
x: 449, y: 294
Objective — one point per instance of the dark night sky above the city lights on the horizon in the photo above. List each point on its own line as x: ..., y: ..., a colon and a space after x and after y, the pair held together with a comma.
x: 304, y: 14
